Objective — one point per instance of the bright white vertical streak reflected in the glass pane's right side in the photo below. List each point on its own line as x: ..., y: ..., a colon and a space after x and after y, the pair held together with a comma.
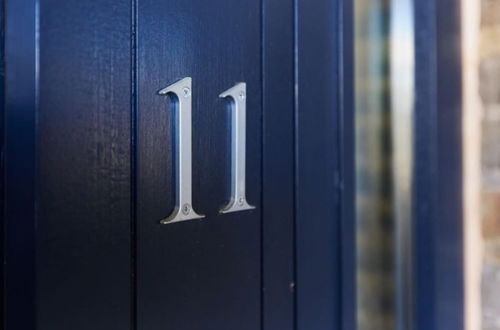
x: 402, y: 101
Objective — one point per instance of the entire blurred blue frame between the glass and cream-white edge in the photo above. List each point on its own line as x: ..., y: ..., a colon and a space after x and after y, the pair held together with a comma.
x: 437, y: 178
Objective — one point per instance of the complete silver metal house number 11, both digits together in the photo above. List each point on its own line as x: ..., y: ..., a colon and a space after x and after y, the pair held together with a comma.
x: 182, y: 92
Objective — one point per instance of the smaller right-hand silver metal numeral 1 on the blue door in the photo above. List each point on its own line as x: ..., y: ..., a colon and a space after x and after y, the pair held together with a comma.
x: 238, y: 95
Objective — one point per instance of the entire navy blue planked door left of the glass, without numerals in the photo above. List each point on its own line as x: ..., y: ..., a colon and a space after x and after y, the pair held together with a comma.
x: 89, y: 165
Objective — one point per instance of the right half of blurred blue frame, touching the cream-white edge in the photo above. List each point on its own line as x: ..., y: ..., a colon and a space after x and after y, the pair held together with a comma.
x: 449, y: 230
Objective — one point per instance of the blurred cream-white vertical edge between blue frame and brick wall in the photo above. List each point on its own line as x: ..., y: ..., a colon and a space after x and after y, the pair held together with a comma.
x: 471, y: 138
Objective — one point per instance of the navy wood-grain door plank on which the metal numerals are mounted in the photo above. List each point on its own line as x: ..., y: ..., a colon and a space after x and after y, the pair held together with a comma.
x: 200, y: 274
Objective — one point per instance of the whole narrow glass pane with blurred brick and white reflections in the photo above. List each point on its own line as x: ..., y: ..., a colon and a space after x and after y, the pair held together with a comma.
x: 384, y: 108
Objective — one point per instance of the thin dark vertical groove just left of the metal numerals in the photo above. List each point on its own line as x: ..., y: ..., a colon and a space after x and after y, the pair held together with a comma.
x: 133, y: 172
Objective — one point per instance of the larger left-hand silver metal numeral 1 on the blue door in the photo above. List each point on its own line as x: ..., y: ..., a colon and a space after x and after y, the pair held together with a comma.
x: 181, y: 93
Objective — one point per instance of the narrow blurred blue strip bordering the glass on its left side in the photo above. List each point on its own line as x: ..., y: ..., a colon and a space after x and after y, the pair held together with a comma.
x: 346, y: 184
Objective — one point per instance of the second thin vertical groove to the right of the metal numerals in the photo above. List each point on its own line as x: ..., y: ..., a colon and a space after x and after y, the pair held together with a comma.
x: 296, y: 156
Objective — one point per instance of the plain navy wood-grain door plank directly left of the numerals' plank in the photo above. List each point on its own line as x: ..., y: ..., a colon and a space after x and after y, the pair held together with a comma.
x: 84, y: 175
